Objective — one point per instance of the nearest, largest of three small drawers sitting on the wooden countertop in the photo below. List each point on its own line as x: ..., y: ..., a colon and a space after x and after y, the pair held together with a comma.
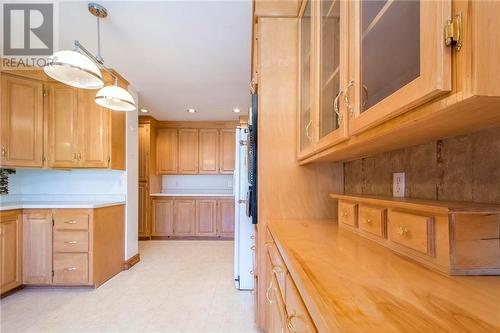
x: 411, y: 230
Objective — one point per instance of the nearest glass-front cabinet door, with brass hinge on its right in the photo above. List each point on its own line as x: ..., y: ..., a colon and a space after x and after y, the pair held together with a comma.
x: 402, y: 60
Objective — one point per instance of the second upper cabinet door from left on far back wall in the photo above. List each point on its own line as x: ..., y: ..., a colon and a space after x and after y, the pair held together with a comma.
x: 188, y: 151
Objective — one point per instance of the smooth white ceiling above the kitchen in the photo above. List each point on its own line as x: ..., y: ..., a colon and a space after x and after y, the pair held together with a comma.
x: 175, y: 54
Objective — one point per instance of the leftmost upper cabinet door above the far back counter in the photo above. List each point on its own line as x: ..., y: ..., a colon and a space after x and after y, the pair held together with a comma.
x: 167, y: 151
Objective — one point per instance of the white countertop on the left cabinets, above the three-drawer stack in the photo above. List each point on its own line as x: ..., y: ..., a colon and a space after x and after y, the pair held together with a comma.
x: 58, y: 204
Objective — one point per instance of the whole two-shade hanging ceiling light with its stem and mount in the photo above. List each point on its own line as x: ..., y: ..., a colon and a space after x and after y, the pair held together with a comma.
x: 80, y: 69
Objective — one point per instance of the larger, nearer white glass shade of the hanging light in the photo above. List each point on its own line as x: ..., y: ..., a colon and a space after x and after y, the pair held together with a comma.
x: 74, y: 69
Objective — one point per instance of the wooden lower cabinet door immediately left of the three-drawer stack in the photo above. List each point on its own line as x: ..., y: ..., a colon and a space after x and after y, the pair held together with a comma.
x: 37, y: 248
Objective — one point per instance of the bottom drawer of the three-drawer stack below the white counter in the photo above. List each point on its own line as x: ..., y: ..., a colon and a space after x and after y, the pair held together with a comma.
x: 71, y: 268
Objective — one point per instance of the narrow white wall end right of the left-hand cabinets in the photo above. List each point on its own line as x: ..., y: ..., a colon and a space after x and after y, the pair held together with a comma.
x: 132, y: 213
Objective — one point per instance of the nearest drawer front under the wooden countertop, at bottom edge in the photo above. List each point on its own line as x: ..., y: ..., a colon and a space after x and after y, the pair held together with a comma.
x: 297, y: 315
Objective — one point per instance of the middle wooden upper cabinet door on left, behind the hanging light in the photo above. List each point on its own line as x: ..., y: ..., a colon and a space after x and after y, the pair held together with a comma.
x: 63, y: 126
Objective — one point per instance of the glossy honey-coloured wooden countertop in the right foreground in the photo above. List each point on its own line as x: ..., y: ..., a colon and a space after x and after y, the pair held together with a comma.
x: 351, y: 284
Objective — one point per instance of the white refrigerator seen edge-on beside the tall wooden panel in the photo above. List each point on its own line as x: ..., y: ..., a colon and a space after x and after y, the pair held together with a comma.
x: 244, y: 232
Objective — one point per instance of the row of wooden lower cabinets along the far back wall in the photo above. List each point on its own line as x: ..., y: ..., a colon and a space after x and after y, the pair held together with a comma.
x: 203, y: 217
